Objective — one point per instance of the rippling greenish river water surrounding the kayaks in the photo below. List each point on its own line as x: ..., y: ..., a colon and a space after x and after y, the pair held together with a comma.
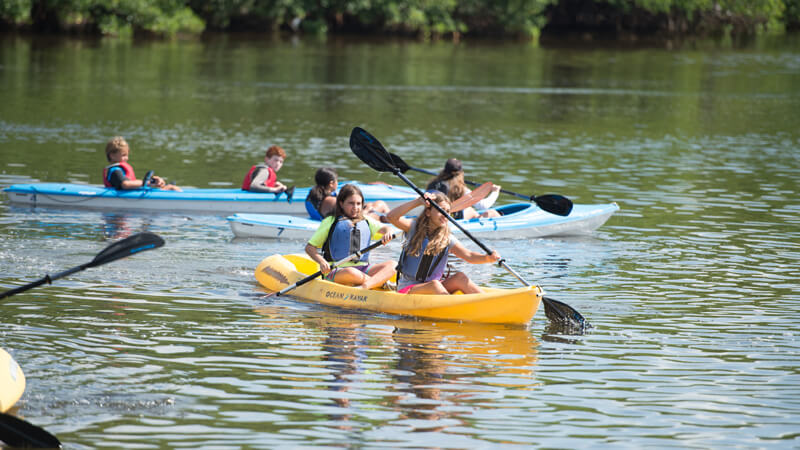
x: 692, y: 286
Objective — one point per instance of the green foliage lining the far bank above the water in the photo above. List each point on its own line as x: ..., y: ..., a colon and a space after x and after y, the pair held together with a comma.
x: 412, y: 17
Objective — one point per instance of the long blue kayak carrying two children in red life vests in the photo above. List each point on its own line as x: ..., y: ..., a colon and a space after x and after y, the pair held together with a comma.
x: 208, y: 201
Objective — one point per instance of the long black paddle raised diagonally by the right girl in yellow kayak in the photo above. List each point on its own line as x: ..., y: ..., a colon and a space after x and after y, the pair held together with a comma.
x: 370, y: 151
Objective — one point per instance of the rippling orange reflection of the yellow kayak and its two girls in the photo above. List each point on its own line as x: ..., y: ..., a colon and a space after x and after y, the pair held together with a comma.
x: 426, y: 372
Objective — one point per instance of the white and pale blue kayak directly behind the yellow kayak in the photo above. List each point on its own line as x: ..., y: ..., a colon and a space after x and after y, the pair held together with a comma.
x: 519, y: 220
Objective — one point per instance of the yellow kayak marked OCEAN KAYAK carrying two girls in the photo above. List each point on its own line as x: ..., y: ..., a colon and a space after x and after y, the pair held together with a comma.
x: 514, y: 306
